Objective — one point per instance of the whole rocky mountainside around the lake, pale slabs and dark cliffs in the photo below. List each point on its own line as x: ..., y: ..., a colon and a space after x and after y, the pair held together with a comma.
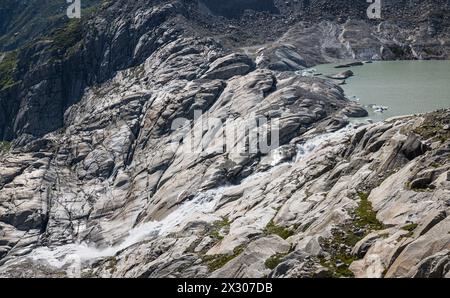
x: 104, y: 179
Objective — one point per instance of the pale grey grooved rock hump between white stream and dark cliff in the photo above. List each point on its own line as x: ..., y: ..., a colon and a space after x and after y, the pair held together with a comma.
x: 114, y: 166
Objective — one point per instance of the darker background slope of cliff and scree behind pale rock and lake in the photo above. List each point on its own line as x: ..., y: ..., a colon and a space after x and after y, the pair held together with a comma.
x: 51, y: 74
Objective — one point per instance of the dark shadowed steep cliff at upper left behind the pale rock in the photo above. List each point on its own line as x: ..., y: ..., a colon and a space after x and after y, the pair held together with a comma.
x: 47, y: 86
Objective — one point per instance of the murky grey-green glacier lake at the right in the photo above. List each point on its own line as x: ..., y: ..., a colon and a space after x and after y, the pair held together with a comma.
x: 403, y: 87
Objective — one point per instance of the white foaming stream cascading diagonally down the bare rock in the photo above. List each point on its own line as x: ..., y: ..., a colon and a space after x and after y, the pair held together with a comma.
x: 201, y: 204
